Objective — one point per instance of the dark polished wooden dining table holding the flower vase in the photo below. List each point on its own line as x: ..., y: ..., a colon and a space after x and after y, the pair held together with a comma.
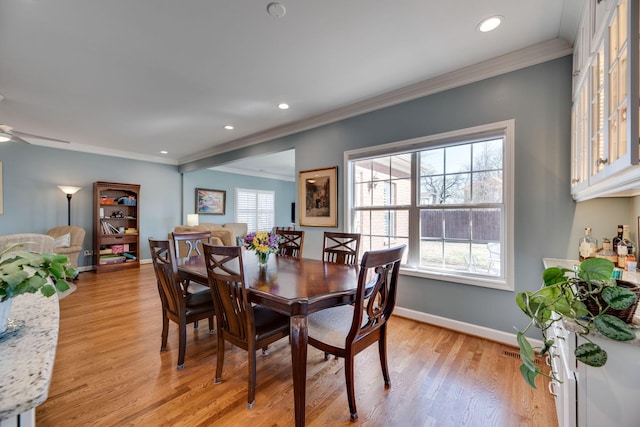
x: 295, y: 287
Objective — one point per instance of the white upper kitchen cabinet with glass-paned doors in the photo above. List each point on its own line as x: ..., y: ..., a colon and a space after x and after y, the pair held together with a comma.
x: 605, y: 91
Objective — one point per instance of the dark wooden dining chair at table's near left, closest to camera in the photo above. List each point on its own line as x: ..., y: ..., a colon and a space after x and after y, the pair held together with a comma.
x: 243, y: 324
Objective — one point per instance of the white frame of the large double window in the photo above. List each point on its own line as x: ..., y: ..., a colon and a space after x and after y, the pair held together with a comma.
x: 504, y: 129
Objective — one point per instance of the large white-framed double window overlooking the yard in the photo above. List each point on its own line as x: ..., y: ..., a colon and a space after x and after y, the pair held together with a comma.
x: 447, y: 197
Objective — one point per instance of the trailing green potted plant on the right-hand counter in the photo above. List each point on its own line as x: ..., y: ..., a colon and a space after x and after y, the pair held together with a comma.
x: 585, y: 298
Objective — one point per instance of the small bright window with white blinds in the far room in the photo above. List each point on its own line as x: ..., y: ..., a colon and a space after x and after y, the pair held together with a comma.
x: 256, y: 208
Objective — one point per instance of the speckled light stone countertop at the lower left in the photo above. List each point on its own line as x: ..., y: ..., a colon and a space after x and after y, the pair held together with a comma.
x: 27, y: 353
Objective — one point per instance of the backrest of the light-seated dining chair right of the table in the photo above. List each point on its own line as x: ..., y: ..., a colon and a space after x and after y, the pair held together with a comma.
x: 376, y: 293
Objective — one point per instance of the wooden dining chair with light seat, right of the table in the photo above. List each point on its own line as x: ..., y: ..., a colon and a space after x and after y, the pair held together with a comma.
x: 346, y: 330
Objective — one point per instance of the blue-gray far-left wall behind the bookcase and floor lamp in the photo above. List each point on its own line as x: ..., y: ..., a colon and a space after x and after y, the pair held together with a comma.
x: 33, y: 203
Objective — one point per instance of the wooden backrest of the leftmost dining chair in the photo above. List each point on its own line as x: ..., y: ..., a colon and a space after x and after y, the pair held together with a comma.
x: 169, y: 285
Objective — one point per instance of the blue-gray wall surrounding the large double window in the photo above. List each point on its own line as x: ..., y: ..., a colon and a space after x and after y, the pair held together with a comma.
x: 547, y: 221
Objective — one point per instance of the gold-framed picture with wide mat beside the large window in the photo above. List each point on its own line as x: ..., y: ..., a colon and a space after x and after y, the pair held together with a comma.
x: 318, y: 197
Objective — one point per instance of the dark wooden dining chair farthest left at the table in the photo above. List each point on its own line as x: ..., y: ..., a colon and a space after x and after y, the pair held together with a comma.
x: 177, y: 305
